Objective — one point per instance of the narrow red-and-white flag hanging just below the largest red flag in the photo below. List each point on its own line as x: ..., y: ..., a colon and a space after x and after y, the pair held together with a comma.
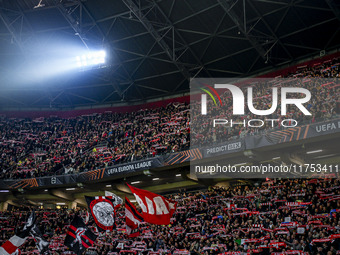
x: 132, y: 218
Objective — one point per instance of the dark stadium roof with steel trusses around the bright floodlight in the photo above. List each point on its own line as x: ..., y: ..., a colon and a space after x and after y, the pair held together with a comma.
x: 154, y: 47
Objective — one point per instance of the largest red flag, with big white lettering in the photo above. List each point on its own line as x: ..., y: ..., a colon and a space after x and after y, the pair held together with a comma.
x: 156, y: 209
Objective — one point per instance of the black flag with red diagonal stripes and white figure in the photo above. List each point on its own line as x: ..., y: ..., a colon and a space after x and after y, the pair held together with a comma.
x: 79, y: 237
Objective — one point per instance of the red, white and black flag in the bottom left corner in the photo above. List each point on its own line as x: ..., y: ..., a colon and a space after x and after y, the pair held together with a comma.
x: 12, y: 245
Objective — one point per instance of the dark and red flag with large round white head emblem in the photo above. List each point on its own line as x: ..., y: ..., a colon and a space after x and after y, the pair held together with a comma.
x: 102, y: 210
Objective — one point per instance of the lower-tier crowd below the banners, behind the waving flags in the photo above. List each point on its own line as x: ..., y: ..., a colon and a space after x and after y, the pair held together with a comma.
x: 277, y: 217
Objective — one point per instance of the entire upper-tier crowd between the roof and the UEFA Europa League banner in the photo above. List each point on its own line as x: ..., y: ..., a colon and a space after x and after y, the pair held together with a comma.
x: 42, y: 147
